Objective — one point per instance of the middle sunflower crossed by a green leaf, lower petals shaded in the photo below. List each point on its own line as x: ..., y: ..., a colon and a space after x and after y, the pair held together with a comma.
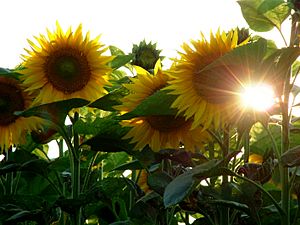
x: 158, y: 132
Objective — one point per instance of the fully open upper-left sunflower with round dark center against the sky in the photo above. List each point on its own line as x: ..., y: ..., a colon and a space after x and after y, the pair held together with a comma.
x: 66, y: 65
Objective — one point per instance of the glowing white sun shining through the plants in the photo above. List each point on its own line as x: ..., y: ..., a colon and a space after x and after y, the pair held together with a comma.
x: 259, y: 97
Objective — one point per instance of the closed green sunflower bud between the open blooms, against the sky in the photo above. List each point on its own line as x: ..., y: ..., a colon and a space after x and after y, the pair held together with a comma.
x: 145, y: 55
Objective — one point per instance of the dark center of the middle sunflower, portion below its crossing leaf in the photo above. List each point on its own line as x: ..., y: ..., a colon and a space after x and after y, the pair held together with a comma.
x: 165, y: 123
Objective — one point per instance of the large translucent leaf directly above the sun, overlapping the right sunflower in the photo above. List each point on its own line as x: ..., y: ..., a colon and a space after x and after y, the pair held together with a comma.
x: 254, y: 62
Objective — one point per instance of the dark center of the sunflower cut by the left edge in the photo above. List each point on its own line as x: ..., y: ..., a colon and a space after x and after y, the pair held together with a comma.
x: 11, y: 100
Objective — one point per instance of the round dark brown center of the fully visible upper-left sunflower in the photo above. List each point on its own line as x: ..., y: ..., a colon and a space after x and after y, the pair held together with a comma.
x: 67, y: 70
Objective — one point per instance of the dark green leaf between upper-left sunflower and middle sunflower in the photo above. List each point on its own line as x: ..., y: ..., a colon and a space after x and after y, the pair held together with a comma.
x: 107, y: 102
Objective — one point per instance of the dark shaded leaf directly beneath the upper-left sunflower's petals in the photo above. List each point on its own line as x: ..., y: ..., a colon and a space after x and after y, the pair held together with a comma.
x: 55, y: 112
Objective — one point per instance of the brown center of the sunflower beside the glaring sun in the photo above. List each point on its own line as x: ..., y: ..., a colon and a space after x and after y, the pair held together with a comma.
x: 217, y: 86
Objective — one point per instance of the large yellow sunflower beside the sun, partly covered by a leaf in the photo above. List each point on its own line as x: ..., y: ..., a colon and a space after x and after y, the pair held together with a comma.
x: 208, y: 100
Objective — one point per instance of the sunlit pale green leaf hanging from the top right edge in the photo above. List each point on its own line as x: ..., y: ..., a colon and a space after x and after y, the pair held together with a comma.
x: 264, y: 15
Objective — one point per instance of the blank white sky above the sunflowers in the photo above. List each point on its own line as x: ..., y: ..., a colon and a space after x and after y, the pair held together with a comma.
x: 122, y: 23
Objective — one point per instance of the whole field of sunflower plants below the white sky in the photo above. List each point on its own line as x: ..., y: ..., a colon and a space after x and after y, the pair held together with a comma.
x: 150, y: 144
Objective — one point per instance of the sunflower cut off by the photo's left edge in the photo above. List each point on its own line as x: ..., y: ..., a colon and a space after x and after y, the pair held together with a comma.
x: 13, y: 98
